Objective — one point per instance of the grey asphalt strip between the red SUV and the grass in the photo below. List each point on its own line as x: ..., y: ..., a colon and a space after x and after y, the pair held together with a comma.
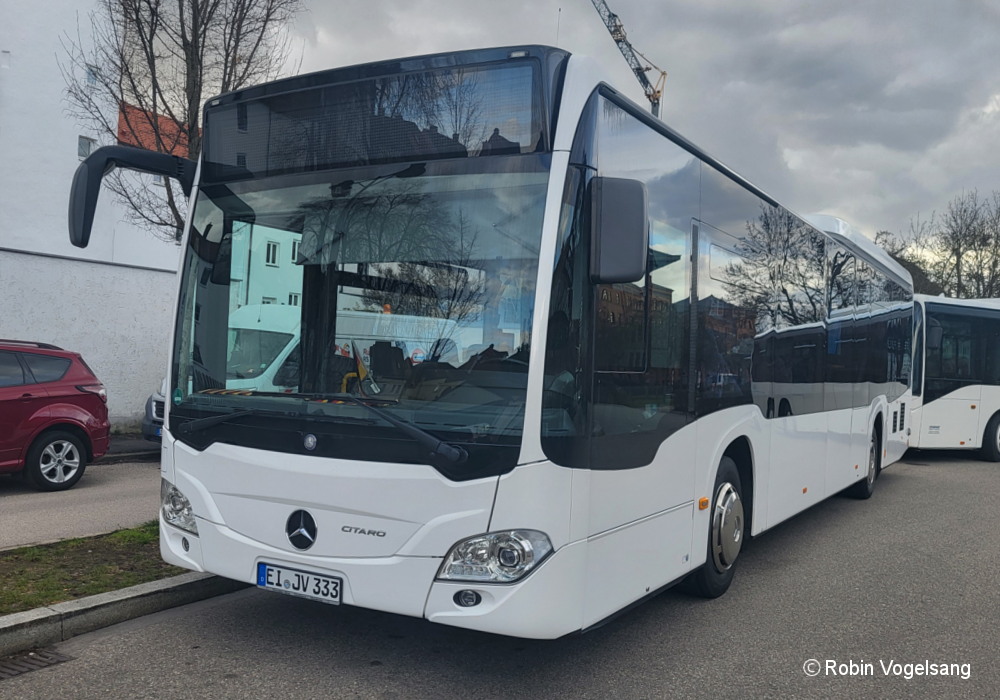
x: 107, y: 498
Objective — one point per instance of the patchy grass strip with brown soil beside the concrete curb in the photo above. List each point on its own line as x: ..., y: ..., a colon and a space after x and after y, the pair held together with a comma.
x: 31, y: 577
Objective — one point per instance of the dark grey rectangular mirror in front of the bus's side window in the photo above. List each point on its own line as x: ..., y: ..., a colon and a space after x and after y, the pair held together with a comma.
x: 620, y: 230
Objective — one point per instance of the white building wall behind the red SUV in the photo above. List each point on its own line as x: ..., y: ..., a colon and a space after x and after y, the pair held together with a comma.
x: 115, y: 310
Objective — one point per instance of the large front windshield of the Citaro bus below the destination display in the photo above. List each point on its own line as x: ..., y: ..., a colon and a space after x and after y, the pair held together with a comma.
x: 412, y: 286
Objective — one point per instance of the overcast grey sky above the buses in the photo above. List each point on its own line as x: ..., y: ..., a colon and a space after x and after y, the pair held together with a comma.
x: 871, y: 111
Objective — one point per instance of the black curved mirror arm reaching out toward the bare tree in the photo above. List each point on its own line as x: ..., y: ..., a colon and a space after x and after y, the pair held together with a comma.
x: 87, y: 181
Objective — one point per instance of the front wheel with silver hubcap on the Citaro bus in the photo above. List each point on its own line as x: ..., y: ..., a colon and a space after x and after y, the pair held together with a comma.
x: 725, y: 535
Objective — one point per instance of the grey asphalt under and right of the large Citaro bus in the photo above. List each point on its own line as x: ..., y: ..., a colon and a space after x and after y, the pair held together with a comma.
x: 908, y: 576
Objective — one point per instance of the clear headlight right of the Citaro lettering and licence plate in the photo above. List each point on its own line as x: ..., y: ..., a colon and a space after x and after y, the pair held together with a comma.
x: 497, y: 557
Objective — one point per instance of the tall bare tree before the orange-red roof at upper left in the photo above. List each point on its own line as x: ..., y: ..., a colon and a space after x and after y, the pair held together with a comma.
x: 143, y: 73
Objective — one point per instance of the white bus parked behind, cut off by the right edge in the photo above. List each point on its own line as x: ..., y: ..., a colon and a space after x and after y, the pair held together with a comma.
x: 956, y: 376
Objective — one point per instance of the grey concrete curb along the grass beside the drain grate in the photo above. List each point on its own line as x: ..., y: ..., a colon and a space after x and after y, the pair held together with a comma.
x: 56, y: 623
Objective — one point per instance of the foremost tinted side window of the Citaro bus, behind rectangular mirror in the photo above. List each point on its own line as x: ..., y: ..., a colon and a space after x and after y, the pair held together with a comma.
x: 613, y: 410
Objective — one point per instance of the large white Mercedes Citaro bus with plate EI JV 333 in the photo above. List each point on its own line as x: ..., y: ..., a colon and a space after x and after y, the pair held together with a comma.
x: 607, y: 416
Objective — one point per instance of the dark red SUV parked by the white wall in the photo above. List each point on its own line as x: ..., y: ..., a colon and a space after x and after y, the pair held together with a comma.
x: 53, y: 414
